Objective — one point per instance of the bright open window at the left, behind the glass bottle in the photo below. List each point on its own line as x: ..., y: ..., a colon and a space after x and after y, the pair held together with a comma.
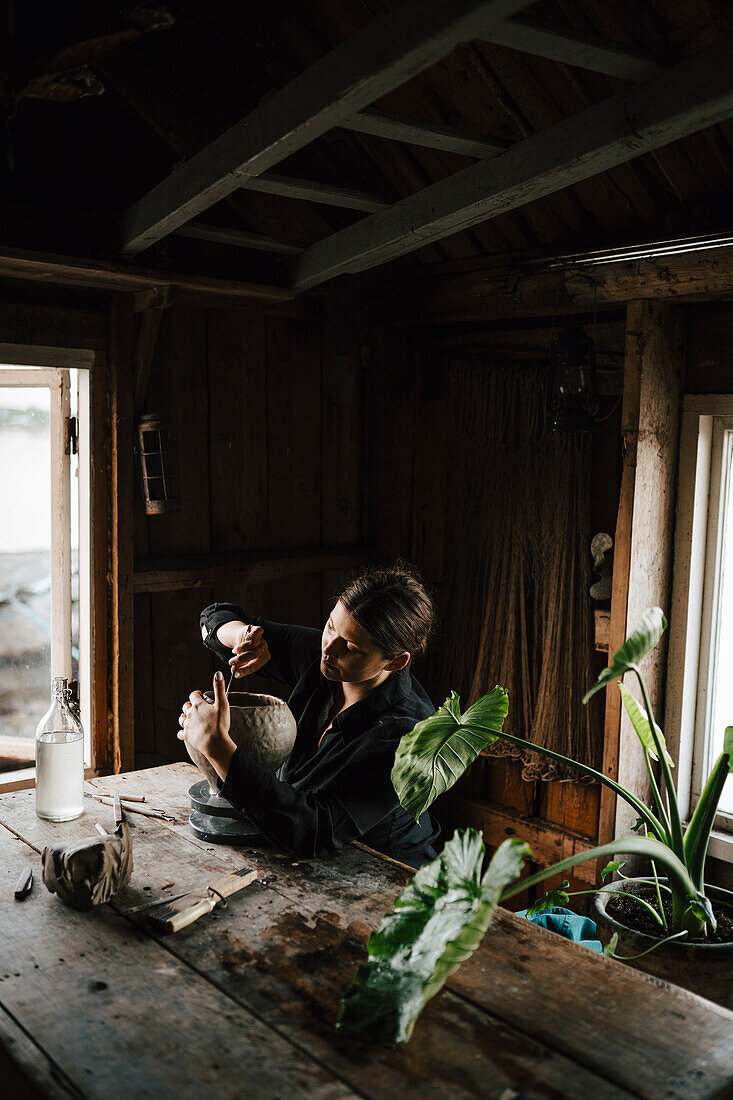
x: 45, y: 553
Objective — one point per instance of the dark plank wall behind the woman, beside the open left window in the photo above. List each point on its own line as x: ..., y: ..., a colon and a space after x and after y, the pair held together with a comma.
x: 269, y: 421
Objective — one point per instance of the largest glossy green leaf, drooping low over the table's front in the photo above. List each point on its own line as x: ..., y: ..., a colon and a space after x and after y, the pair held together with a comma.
x: 439, y: 921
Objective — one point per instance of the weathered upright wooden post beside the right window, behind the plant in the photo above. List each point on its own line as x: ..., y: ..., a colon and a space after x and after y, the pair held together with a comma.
x: 642, y: 575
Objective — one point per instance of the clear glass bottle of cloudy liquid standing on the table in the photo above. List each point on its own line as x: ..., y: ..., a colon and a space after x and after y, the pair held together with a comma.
x: 60, y: 758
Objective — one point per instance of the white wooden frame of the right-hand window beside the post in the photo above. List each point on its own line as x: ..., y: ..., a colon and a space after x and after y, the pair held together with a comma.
x: 692, y: 611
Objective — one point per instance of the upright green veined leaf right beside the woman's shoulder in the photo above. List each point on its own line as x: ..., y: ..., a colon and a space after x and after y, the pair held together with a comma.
x: 439, y: 751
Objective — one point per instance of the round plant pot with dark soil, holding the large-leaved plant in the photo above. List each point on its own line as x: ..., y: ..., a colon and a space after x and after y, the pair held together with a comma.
x: 703, y: 969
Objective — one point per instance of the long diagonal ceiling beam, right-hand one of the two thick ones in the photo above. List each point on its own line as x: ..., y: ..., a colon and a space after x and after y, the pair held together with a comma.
x: 696, y: 94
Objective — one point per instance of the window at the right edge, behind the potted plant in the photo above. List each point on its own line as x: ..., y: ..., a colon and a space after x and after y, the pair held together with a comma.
x: 701, y: 670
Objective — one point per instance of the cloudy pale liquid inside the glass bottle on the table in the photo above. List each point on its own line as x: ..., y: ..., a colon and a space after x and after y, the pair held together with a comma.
x: 60, y: 776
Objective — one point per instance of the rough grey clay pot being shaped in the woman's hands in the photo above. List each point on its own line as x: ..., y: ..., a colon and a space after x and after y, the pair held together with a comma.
x: 261, y: 725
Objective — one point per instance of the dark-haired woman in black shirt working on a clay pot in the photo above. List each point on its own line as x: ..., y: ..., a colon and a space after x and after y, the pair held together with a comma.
x: 353, y: 696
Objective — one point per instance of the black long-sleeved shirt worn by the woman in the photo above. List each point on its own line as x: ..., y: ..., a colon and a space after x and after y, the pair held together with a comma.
x: 332, y: 791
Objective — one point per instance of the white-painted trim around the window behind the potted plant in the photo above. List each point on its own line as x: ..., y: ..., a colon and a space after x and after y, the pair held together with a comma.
x: 688, y: 603
